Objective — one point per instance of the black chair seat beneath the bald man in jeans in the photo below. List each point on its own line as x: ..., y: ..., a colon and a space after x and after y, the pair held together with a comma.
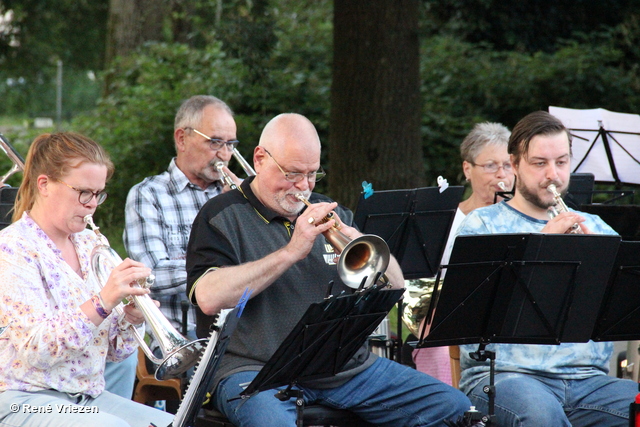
x: 314, y: 415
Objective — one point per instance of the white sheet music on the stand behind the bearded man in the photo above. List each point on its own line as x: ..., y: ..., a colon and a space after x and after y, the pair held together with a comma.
x: 584, y: 125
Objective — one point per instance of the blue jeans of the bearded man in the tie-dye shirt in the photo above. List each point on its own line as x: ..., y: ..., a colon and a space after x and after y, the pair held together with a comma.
x: 528, y: 400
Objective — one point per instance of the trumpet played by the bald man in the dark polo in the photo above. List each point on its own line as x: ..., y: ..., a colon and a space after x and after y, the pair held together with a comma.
x: 360, y: 258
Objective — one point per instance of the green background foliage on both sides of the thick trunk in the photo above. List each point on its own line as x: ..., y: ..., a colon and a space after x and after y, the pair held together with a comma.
x: 264, y: 58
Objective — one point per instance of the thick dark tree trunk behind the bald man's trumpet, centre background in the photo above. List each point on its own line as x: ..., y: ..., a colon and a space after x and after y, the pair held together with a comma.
x: 375, y: 98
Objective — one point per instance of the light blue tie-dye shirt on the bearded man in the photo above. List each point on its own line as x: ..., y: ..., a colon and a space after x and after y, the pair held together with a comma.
x: 567, y: 360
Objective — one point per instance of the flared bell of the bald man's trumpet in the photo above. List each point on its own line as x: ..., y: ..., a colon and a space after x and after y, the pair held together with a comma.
x: 363, y: 257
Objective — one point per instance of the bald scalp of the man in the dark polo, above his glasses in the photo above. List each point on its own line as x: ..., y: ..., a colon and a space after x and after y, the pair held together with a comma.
x: 290, y: 131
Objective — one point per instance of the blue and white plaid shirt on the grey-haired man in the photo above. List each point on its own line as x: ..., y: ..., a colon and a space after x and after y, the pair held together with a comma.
x: 158, y: 217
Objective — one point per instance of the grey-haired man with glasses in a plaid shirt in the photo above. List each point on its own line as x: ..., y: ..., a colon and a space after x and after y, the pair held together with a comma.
x: 160, y: 210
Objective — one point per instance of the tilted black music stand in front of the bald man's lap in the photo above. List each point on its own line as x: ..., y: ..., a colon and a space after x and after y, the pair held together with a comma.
x: 323, y: 341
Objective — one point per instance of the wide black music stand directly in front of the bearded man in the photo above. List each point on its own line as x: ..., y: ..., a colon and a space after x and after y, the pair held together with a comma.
x: 520, y: 288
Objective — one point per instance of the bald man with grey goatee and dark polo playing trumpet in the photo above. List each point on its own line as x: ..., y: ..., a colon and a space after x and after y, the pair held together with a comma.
x: 261, y: 236
